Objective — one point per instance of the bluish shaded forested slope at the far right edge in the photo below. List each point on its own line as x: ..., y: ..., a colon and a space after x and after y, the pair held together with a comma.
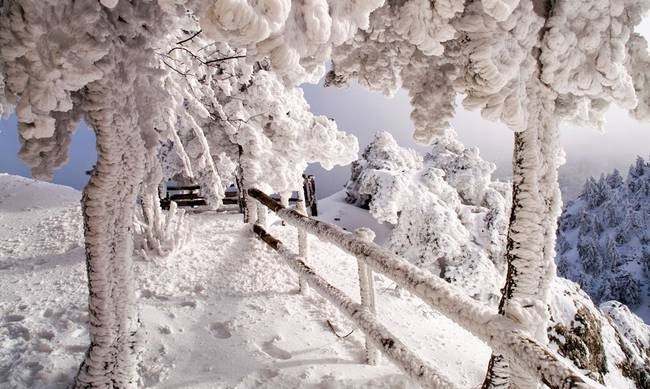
x: 601, y: 237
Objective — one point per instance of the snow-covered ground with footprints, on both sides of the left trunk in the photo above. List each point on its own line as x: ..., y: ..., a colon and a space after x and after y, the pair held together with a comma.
x: 222, y: 312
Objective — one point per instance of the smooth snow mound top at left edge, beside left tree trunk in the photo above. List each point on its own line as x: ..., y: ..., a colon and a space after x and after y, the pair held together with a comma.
x: 18, y: 193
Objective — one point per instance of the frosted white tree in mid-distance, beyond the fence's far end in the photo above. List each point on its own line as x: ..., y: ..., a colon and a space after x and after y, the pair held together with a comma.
x: 261, y: 126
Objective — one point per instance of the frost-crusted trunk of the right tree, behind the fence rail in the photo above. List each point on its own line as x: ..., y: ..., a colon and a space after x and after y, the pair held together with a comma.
x: 536, y: 205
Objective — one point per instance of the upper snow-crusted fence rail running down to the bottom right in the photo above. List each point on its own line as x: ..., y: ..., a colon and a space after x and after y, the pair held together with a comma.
x: 501, y: 333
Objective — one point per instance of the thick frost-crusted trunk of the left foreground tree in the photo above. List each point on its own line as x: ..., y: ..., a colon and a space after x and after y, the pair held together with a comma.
x: 108, y: 204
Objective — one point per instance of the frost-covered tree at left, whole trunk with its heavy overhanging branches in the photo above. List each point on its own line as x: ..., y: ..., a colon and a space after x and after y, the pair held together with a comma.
x: 66, y: 60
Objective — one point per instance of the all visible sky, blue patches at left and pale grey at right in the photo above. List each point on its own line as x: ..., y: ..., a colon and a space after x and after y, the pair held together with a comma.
x: 363, y: 113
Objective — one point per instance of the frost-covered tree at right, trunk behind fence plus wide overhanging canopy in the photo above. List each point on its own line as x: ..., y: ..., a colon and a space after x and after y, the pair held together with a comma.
x: 529, y: 64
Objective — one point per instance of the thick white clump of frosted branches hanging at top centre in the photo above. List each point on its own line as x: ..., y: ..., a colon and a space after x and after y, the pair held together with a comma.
x: 297, y: 37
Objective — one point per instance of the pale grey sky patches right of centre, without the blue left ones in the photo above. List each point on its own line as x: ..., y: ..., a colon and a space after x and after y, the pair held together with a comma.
x: 364, y: 113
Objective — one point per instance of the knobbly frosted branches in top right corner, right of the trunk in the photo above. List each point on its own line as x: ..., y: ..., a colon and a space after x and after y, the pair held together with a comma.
x: 585, y: 53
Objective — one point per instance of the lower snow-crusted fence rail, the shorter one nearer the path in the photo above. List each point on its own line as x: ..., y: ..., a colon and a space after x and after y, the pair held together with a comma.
x: 362, y: 317
